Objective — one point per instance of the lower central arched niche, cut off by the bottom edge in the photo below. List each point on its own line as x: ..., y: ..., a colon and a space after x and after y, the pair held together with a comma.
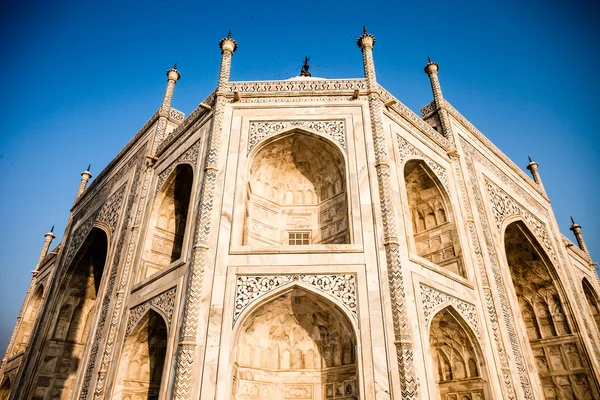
x: 297, y: 343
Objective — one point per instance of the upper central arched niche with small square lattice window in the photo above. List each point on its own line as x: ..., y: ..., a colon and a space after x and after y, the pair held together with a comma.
x: 297, y: 193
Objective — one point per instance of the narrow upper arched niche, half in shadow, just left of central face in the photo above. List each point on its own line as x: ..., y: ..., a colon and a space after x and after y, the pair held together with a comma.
x: 166, y: 231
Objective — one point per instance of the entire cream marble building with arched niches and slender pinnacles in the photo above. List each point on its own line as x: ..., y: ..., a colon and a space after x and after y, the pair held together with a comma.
x: 308, y: 239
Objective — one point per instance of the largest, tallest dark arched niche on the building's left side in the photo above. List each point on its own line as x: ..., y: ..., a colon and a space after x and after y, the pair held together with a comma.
x: 73, y: 310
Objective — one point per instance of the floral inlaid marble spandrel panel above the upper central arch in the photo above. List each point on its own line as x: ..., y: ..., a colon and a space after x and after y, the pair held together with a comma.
x: 261, y: 129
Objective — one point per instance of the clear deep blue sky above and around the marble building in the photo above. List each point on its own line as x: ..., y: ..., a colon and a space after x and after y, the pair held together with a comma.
x: 79, y: 79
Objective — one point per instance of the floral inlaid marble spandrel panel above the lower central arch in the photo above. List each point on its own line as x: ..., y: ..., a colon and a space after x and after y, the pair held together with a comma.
x: 249, y: 288
